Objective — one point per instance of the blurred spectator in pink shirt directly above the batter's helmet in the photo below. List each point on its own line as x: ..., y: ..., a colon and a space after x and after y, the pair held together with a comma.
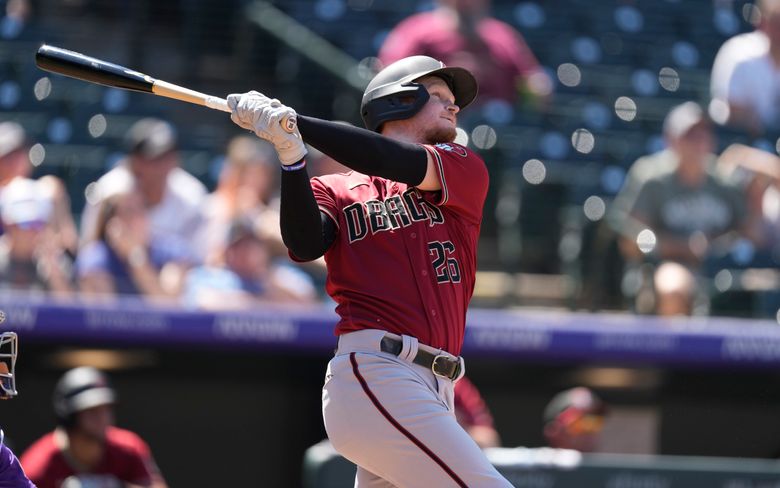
x: 462, y: 33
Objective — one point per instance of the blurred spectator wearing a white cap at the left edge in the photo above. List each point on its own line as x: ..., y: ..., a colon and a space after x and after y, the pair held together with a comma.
x: 31, y: 254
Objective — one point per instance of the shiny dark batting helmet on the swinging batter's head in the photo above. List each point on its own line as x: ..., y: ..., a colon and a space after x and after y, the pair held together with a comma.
x: 393, y: 94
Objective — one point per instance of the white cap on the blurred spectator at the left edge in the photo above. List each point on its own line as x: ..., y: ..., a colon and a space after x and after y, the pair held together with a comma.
x: 23, y: 201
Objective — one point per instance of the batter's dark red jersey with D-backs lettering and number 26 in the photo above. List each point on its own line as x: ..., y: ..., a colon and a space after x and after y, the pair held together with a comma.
x: 404, y: 260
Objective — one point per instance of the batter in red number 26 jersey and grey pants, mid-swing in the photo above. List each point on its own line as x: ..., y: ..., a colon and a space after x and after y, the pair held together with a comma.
x: 399, y: 236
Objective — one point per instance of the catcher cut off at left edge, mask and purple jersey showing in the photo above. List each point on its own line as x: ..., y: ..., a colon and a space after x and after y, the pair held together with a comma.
x: 11, y: 472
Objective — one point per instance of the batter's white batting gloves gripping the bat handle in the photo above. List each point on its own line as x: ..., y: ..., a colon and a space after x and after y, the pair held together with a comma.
x: 270, y: 120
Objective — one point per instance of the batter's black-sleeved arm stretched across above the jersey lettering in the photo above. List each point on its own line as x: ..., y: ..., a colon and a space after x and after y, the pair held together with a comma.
x: 365, y: 151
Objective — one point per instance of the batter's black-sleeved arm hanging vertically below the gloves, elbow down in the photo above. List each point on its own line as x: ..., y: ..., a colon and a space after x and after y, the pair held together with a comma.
x: 299, y: 216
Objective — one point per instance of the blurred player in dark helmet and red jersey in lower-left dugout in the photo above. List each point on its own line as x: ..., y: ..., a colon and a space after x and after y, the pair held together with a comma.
x: 86, y: 449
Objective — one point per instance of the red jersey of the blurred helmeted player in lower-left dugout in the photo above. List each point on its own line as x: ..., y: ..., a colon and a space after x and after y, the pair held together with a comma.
x: 127, y: 458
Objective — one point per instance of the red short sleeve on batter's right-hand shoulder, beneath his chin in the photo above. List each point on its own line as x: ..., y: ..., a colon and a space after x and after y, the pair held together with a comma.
x: 464, y: 180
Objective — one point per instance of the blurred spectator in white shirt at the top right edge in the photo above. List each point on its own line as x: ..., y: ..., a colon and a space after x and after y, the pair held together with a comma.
x: 751, y: 92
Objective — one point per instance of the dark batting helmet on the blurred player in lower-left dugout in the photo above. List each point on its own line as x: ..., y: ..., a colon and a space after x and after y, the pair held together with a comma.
x: 80, y: 389
